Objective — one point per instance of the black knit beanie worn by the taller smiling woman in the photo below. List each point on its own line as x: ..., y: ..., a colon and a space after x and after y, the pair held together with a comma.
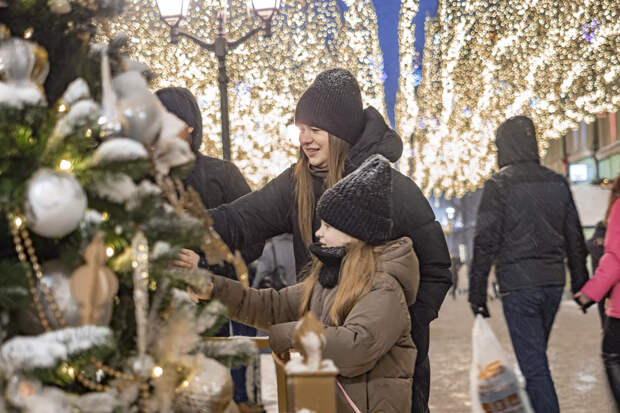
x: 333, y: 102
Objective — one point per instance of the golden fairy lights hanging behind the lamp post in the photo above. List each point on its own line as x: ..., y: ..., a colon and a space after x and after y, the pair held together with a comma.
x: 266, y: 75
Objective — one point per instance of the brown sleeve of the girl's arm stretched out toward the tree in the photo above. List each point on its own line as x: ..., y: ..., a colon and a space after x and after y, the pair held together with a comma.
x: 259, y: 308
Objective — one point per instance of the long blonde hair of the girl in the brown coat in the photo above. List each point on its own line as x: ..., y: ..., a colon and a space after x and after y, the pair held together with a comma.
x: 356, y: 274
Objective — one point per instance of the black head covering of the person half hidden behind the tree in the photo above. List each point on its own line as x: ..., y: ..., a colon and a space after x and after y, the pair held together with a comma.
x: 181, y: 103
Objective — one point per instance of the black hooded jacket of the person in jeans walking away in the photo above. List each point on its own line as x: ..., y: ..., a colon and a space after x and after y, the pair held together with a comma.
x: 527, y: 225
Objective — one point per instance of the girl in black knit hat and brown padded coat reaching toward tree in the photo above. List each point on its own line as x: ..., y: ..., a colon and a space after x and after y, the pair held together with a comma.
x: 359, y: 285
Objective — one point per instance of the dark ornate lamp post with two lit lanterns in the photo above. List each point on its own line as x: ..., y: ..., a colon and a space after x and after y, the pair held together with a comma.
x: 172, y: 12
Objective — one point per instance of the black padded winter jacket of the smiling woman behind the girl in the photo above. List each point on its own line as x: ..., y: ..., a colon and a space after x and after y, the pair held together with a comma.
x: 272, y: 210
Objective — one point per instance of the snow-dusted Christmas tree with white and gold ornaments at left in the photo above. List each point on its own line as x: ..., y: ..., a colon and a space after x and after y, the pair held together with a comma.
x: 93, y: 314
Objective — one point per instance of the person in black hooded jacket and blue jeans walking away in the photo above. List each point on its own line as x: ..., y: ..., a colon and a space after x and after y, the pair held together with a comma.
x: 527, y: 226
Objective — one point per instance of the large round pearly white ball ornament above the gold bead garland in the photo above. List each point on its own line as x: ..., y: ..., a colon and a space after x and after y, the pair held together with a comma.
x: 55, y: 203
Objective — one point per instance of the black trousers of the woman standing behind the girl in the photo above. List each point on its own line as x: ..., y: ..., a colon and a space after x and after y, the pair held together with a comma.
x: 420, y: 334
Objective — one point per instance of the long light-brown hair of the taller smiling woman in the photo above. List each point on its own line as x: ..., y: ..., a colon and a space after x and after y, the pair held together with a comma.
x: 338, y: 150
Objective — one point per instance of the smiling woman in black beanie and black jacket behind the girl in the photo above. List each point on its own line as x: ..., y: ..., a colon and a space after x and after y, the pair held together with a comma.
x: 337, y: 134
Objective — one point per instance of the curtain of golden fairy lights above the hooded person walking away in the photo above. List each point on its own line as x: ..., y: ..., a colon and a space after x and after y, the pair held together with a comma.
x: 486, y: 60
